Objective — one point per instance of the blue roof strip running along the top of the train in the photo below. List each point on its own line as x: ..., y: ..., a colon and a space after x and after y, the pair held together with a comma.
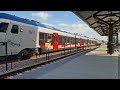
x: 31, y: 22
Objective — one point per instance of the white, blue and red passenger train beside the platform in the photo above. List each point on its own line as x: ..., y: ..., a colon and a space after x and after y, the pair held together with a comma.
x: 27, y: 37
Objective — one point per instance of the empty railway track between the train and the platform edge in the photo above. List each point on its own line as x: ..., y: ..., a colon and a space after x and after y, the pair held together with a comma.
x: 45, y: 60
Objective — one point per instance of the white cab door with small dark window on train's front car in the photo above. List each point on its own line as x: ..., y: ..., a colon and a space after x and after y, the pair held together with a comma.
x: 13, y: 39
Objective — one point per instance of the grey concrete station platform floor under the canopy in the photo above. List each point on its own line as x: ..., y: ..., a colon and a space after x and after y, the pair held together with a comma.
x: 96, y: 64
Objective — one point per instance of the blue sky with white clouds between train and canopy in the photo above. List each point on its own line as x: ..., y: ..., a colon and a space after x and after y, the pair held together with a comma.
x: 64, y: 20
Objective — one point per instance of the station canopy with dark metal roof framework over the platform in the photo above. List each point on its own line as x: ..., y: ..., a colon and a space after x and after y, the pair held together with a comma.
x: 100, y: 20
